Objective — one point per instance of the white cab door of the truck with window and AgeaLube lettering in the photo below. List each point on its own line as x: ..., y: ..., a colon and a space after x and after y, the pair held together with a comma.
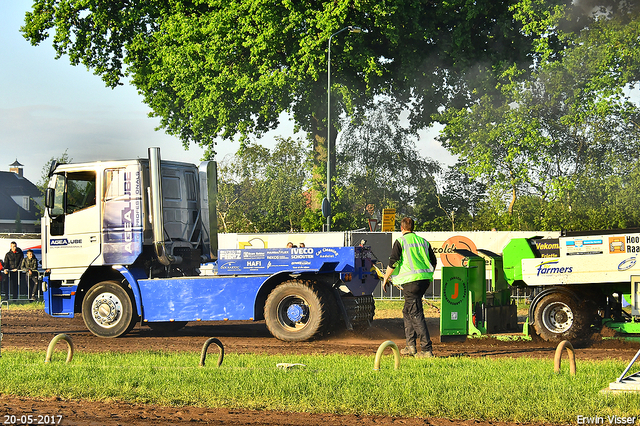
x: 73, y: 238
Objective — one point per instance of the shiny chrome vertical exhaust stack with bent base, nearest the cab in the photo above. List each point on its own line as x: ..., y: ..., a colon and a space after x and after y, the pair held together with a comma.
x: 157, y: 217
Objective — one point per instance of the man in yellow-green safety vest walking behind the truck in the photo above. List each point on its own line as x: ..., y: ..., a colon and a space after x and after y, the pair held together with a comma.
x: 411, y: 267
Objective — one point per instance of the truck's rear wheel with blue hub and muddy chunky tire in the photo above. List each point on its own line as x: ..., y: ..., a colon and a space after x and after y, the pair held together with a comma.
x: 296, y: 311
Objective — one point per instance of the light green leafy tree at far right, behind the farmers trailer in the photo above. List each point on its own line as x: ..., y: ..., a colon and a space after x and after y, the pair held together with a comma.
x: 562, y: 131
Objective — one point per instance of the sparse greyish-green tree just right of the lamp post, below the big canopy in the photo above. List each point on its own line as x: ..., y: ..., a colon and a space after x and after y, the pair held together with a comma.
x: 379, y: 165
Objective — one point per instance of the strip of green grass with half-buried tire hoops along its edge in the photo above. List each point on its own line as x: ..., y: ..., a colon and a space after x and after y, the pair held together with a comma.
x: 504, y: 389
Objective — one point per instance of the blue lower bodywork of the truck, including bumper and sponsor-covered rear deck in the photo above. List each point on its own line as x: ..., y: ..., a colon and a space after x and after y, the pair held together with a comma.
x: 235, y: 291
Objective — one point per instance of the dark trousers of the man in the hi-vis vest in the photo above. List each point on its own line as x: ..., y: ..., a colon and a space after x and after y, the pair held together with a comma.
x: 415, y: 325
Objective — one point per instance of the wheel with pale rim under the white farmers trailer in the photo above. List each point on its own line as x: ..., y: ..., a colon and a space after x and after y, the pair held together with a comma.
x: 559, y: 317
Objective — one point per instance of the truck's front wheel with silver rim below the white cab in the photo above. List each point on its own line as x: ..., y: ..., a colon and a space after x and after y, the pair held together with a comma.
x: 107, y: 310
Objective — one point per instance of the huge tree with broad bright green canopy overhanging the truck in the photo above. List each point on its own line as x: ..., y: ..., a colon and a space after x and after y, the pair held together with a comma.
x: 213, y: 69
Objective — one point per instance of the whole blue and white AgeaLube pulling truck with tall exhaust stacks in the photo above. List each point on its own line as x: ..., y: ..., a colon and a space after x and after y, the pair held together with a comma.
x: 134, y: 241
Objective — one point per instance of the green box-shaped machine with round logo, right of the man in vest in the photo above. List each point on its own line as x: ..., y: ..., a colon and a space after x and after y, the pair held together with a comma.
x: 472, y: 305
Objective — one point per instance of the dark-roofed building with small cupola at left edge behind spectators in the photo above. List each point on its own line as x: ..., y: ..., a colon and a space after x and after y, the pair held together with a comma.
x: 19, y: 199
